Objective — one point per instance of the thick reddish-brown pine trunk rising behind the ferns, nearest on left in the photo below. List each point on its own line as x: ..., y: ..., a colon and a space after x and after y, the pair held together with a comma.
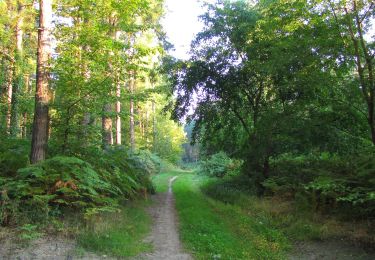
x: 42, y: 96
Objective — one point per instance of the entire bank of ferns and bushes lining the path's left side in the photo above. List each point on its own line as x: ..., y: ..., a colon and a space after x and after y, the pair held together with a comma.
x: 88, y: 182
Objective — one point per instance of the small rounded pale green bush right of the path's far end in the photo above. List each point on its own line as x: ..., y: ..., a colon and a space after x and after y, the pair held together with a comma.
x: 219, y: 165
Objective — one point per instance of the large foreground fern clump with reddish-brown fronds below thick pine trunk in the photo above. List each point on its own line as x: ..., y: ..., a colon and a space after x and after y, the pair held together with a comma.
x: 55, y: 184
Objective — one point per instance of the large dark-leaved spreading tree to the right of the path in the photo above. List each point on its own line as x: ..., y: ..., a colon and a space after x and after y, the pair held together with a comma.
x: 266, y: 81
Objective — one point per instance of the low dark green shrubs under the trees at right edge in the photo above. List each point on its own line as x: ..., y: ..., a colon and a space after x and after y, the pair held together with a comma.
x: 329, y: 182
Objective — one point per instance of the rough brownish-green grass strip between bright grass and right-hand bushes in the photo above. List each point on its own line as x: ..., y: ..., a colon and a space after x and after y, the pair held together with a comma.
x: 295, y: 218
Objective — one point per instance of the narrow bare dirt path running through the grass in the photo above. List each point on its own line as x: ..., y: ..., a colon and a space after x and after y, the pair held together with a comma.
x: 164, y: 234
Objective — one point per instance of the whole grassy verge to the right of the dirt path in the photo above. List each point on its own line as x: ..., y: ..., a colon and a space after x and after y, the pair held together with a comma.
x: 220, y: 220
